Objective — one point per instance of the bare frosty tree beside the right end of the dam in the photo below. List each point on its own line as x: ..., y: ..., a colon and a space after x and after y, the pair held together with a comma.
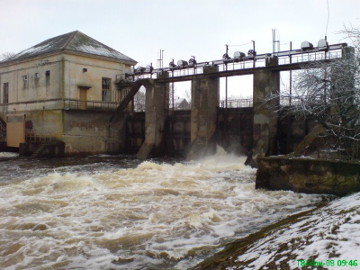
x: 329, y: 92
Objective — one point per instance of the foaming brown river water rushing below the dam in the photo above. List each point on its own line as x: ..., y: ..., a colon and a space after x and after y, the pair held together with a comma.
x: 112, y: 213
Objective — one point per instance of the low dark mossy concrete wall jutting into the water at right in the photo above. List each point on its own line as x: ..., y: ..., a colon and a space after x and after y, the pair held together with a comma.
x: 308, y: 175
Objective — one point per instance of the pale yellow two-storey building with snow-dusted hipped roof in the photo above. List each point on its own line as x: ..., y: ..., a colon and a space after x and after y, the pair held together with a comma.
x: 62, y: 88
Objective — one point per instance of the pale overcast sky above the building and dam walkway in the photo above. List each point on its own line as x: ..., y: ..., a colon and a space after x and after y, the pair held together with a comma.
x: 182, y: 28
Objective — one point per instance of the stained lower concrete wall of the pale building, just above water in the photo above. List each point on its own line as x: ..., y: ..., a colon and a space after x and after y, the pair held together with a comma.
x: 82, y: 131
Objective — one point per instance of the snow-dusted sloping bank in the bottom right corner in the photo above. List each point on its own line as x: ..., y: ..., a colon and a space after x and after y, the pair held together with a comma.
x: 329, y: 236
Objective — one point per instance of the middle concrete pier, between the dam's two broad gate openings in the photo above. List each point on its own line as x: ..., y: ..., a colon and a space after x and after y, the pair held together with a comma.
x: 204, y: 104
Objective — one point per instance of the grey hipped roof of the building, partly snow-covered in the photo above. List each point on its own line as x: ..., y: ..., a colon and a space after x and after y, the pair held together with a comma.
x: 72, y: 42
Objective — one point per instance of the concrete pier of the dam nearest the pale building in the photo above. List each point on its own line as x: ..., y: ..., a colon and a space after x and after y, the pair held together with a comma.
x: 156, y: 111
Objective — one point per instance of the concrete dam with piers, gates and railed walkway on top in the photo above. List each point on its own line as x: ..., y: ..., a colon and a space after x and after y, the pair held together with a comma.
x: 254, y: 130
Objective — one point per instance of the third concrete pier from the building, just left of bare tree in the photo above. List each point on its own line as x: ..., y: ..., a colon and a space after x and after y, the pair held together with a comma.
x: 266, y: 87
